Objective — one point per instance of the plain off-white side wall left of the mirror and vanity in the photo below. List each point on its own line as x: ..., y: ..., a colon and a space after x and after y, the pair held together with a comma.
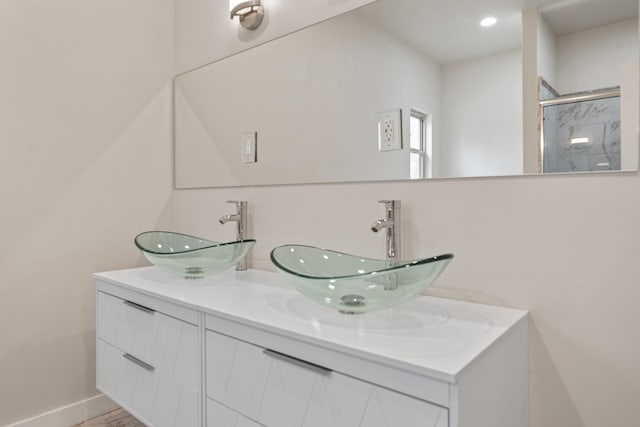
x: 85, y: 113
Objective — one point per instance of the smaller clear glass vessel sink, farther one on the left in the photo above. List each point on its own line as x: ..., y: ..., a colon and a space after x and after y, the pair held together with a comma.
x: 190, y: 256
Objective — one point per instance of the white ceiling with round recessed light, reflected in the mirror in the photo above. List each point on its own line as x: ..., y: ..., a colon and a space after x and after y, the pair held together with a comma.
x: 450, y: 30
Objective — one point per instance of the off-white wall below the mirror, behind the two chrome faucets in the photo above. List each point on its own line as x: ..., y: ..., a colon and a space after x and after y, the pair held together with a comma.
x: 563, y: 247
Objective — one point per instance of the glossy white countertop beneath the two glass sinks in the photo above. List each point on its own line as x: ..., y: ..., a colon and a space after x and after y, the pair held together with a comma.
x: 436, y: 336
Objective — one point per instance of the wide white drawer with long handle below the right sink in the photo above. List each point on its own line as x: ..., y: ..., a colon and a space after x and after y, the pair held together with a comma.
x: 279, y: 391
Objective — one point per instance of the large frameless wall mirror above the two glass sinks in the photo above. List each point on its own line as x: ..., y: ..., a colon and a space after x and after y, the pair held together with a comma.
x: 418, y: 89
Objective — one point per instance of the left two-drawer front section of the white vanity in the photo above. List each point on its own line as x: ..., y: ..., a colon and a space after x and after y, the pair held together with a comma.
x: 148, y: 357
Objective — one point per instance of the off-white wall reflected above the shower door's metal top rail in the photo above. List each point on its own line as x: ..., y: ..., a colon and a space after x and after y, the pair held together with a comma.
x: 595, y: 58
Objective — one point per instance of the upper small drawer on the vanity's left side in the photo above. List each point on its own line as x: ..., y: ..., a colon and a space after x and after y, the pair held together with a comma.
x: 162, y: 341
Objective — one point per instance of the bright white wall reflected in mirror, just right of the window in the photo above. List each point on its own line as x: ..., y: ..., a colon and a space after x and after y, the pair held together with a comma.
x: 481, y: 122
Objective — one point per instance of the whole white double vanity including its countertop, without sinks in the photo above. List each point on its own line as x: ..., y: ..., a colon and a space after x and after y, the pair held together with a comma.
x: 245, y: 350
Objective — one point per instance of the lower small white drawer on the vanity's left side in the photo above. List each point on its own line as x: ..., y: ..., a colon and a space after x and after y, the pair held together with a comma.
x: 151, y: 394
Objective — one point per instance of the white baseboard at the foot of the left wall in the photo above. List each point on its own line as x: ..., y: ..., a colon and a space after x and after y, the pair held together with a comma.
x: 71, y: 414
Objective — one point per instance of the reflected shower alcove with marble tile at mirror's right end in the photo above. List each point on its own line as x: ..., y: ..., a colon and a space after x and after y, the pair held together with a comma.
x: 591, y: 51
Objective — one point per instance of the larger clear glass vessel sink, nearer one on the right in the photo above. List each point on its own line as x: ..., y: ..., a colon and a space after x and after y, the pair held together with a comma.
x: 353, y: 284
